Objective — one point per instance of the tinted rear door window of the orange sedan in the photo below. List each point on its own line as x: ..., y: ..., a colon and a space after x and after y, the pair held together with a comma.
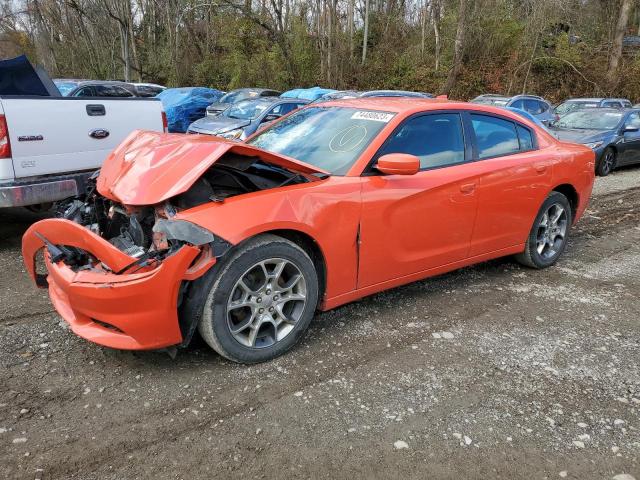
x: 494, y: 136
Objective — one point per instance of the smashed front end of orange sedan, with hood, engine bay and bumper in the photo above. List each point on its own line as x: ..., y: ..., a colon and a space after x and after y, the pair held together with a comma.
x: 122, y: 269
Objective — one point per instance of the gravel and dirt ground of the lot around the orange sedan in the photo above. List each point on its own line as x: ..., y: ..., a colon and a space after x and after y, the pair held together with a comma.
x: 494, y: 371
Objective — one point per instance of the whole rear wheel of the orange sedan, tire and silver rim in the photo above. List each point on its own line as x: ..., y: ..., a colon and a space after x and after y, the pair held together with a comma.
x: 549, y: 234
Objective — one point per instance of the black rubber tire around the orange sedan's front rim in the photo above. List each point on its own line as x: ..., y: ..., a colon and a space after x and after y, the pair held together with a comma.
x: 215, y: 327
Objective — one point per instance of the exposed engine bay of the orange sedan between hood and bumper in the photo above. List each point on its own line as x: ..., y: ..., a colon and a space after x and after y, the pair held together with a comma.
x: 148, y: 233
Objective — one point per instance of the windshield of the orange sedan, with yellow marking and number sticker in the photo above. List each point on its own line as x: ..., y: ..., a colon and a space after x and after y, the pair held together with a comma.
x: 331, y: 138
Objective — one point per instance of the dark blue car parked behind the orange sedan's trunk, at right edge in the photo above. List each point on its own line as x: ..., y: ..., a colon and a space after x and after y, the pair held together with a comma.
x: 613, y: 134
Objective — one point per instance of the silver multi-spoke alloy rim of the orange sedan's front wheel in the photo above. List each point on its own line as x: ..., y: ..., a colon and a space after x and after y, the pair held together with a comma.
x: 266, y: 302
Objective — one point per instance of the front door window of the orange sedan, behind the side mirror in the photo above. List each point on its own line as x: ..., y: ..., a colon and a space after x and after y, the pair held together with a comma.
x: 437, y: 140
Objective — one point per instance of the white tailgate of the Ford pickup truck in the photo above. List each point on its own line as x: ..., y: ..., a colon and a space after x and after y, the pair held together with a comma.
x: 53, y: 135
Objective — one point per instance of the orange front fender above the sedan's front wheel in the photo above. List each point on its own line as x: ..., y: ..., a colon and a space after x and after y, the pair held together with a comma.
x: 327, y: 211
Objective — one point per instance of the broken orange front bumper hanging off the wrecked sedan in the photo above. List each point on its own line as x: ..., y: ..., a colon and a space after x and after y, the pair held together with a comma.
x: 135, y: 311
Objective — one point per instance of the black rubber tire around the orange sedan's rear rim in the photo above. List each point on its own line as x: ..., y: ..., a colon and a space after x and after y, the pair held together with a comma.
x: 532, y: 257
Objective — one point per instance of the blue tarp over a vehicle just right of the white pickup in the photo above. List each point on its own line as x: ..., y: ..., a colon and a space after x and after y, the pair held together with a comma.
x: 186, y: 105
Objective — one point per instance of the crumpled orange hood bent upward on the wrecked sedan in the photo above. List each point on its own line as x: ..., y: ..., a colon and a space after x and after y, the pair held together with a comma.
x: 150, y: 167
